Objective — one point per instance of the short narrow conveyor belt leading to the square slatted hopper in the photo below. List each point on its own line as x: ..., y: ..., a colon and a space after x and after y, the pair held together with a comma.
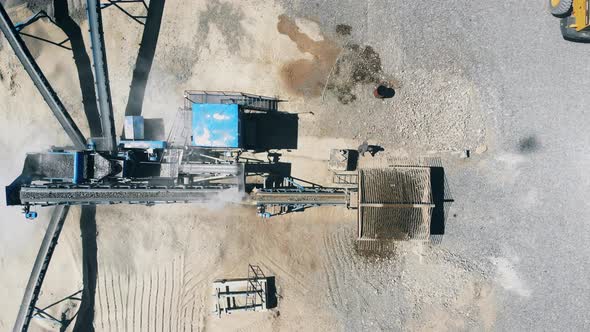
x: 316, y: 198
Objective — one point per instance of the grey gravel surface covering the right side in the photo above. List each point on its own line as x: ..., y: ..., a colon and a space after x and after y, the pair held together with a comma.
x: 519, y: 206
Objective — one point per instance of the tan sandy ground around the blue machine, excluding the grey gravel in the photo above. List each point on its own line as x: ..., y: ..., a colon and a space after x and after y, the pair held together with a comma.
x: 156, y: 264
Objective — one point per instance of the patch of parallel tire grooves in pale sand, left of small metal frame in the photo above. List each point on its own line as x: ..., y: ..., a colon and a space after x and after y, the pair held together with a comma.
x: 162, y: 299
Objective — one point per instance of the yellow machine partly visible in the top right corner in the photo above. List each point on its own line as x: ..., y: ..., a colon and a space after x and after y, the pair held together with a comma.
x: 575, y: 18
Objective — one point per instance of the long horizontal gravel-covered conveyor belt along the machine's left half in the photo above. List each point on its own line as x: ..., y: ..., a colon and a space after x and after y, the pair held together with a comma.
x: 78, y: 196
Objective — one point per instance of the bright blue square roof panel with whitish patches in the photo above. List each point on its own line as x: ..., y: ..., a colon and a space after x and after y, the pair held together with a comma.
x: 216, y: 125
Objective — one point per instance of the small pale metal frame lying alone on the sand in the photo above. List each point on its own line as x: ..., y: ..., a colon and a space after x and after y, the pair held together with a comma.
x: 244, y: 294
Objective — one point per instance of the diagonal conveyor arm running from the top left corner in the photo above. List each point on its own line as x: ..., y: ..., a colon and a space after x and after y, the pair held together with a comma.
x: 31, y: 67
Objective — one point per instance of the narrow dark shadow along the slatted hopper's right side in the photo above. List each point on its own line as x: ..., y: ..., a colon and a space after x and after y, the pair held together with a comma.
x: 442, y: 201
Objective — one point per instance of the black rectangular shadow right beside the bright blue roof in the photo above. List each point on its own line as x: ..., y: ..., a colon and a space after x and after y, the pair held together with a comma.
x: 271, y: 130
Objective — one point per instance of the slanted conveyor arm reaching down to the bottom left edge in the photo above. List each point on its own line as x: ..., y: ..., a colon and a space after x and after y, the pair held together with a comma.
x: 27, y: 307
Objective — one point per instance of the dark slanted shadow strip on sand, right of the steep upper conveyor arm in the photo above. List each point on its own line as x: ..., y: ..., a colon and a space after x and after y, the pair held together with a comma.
x: 145, y: 57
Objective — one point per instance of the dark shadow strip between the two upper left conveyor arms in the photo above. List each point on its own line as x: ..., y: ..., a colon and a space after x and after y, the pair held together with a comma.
x: 82, y: 62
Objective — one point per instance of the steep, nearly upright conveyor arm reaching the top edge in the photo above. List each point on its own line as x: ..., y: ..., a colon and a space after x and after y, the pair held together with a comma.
x: 101, y: 77
